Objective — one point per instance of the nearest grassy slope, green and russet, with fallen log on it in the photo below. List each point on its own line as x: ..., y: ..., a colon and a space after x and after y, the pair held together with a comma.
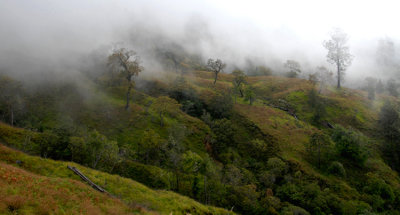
x: 54, y: 189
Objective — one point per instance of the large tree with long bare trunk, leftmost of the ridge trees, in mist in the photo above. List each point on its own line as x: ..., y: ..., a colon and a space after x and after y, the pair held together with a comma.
x: 127, y: 63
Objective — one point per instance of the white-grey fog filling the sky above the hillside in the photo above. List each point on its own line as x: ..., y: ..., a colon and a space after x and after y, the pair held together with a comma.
x: 66, y: 37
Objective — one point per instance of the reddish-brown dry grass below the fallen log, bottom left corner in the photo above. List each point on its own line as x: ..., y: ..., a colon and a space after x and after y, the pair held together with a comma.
x: 21, y: 191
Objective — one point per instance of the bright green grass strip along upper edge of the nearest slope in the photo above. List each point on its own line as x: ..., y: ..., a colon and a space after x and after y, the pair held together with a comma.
x: 129, y: 191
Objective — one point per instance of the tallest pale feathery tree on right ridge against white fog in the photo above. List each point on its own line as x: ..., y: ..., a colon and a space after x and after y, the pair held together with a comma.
x: 338, y: 53
